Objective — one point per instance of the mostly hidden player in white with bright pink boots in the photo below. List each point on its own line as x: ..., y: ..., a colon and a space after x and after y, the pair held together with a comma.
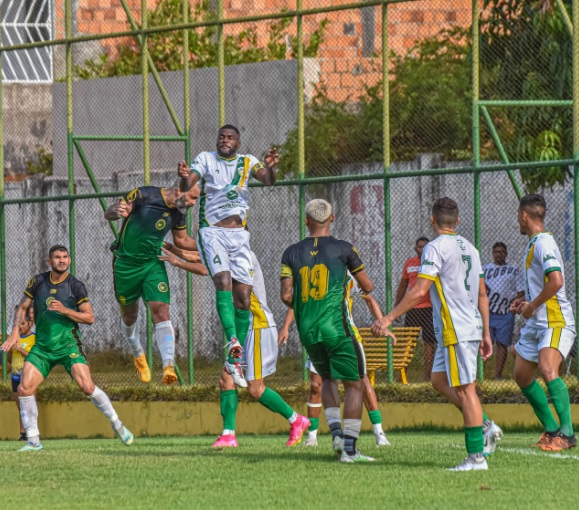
x: 260, y: 357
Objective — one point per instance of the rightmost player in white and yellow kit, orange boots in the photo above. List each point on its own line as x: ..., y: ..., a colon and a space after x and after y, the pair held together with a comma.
x: 549, y: 333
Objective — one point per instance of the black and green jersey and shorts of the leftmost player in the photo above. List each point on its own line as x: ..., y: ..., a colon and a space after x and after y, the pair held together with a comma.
x: 58, y: 340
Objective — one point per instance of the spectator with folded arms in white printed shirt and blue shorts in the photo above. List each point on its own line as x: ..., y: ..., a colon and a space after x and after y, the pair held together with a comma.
x: 504, y: 284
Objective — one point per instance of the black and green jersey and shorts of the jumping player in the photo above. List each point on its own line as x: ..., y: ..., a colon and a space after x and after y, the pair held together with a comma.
x: 138, y: 272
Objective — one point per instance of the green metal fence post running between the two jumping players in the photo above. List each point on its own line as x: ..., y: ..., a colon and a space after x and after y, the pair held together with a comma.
x: 187, y: 119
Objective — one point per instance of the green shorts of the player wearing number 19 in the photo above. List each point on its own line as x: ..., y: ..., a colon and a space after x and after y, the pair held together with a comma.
x: 337, y: 358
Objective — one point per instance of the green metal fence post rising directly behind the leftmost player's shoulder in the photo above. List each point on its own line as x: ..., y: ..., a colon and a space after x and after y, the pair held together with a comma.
x: 69, y: 143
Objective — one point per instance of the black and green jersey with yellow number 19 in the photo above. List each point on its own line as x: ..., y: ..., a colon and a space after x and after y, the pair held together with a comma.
x: 319, y: 267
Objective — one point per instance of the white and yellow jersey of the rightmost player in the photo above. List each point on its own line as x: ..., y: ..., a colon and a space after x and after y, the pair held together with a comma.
x: 542, y: 257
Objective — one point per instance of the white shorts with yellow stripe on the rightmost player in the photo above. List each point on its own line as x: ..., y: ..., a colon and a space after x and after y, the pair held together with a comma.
x: 533, y: 340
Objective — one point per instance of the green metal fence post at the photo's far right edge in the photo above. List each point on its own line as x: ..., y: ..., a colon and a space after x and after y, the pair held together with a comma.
x: 576, y: 155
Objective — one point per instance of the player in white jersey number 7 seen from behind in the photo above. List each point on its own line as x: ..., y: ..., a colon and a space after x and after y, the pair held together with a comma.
x: 453, y: 265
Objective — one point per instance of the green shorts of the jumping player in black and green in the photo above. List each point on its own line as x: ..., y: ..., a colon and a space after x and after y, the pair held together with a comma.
x: 148, y: 280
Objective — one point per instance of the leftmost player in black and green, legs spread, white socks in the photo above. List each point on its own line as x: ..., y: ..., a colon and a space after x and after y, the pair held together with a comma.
x: 60, y: 304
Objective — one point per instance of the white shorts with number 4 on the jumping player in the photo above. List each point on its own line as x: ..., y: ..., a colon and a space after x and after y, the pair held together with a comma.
x: 226, y: 249
